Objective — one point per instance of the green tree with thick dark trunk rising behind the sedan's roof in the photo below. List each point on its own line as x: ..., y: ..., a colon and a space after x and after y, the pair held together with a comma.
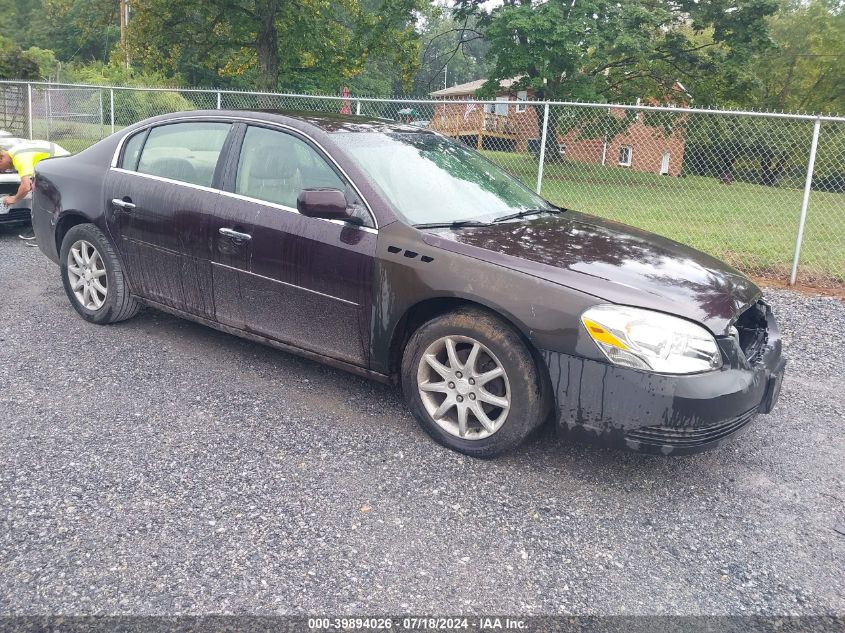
x: 269, y: 44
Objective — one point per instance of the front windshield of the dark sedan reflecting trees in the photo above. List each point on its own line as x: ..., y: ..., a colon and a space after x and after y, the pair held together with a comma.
x: 430, y: 179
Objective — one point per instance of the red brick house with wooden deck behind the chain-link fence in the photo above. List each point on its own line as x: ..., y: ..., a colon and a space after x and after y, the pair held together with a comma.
x: 509, y: 125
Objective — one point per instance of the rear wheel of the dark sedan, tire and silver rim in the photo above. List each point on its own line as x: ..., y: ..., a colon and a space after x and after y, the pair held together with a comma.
x: 94, y: 305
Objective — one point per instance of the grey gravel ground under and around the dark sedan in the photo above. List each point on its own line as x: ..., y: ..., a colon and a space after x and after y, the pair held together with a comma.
x: 158, y: 466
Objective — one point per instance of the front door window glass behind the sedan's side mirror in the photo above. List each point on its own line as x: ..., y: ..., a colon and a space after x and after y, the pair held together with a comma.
x: 276, y: 167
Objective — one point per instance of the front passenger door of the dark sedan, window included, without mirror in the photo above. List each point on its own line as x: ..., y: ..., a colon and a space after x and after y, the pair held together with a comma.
x: 303, y: 281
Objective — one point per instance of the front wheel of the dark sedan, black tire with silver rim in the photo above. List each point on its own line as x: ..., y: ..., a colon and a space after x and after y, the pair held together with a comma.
x: 427, y: 388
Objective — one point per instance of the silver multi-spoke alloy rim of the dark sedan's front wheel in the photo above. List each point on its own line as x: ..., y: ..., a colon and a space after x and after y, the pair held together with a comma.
x: 464, y: 387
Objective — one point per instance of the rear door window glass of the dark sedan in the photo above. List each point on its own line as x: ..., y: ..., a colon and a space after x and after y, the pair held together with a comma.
x: 187, y: 152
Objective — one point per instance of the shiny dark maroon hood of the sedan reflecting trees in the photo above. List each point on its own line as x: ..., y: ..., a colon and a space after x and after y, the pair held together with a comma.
x: 612, y: 261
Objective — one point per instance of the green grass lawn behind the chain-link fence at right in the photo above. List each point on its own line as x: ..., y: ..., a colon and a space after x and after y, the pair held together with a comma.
x: 753, y: 227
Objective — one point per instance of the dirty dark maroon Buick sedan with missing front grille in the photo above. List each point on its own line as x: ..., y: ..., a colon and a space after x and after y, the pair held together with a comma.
x: 396, y: 253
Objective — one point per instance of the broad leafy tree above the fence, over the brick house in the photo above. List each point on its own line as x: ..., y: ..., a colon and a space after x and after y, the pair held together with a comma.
x: 622, y: 50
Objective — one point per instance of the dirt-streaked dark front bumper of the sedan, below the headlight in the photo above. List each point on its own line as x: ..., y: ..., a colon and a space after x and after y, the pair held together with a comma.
x: 666, y: 414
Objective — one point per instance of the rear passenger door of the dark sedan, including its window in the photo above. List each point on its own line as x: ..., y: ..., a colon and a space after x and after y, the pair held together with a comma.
x: 160, y: 200
